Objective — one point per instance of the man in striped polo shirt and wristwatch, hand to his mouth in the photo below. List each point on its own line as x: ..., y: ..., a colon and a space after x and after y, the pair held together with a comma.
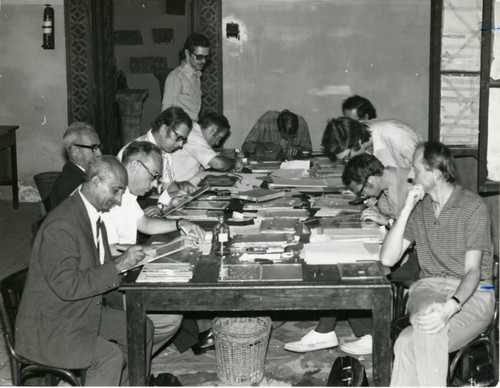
x: 453, y: 302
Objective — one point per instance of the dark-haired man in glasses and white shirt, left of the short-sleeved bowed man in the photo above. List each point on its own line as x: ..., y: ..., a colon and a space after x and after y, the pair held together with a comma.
x: 169, y: 132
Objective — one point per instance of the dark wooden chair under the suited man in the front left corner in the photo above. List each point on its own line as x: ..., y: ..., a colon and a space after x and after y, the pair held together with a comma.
x: 22, y: 369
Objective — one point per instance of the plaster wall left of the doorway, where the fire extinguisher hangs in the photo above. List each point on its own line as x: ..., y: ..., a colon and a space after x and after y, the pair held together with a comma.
x: 32, y: 87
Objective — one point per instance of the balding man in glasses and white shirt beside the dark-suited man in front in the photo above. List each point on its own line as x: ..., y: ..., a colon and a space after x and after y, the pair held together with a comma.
x: 143, y: 163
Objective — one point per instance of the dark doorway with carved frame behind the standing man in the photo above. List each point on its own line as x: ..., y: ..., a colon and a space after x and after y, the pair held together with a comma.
x: 92, y: 64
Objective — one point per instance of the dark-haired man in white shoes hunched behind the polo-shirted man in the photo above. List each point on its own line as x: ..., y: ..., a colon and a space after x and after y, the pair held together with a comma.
x: 386, y: 189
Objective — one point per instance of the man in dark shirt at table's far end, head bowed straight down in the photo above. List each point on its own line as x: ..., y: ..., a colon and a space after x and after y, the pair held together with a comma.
x: 278, y: 131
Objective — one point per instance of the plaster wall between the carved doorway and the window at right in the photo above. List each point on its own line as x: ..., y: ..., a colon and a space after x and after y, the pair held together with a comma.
x: 308, y: 56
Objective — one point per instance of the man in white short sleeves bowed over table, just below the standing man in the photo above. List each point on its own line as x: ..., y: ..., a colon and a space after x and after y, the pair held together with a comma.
x: 198, y: 154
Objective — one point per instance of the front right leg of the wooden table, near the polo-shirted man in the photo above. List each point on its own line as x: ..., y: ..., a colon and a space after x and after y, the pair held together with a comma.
x: 382, y: 349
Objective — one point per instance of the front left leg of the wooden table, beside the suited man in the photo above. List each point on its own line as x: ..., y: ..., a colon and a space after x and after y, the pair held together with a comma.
x: 136, y: 337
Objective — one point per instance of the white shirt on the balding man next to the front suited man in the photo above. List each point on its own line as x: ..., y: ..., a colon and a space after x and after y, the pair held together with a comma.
x: 121, y: 221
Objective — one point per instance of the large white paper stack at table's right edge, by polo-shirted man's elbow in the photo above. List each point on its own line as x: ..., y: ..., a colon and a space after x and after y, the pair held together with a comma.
x: 334, y: 252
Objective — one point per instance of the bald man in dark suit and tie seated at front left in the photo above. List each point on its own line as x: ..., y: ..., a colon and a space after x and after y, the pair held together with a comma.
x: 63, y: 319
